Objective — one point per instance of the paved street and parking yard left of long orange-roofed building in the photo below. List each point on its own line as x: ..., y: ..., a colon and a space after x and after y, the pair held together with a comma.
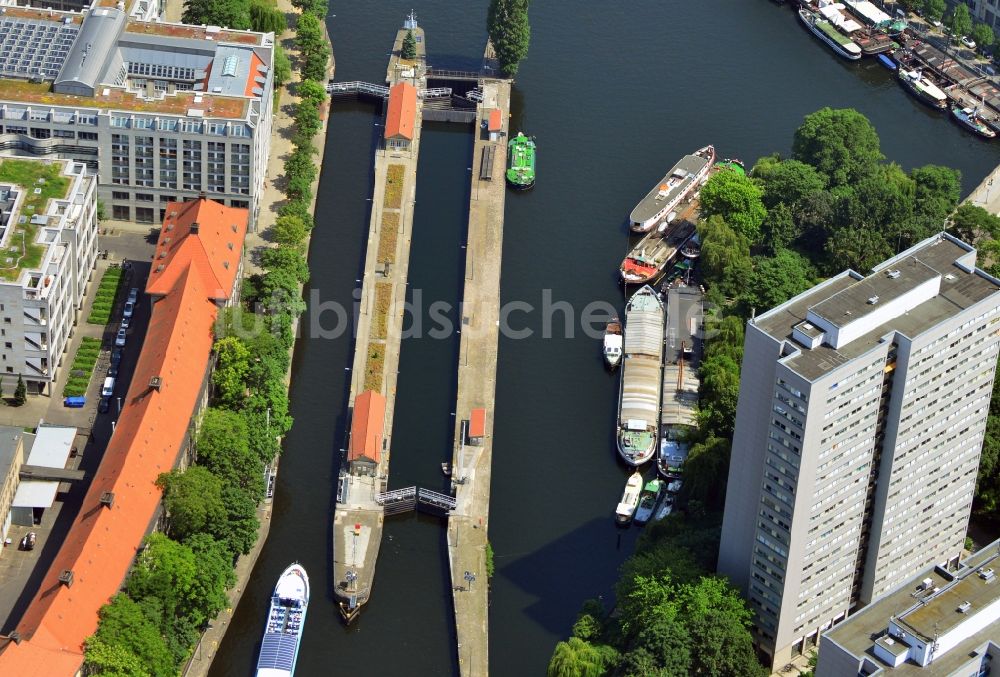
x: 21, y: 572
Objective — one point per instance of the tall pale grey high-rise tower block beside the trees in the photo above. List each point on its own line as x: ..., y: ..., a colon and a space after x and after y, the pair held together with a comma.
x: 863, y: 403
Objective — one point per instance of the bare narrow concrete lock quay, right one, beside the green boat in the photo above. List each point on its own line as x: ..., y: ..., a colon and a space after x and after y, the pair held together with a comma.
x: 471, y: 465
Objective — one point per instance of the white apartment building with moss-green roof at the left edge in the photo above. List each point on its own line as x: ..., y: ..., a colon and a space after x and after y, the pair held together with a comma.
x: 48, y: 248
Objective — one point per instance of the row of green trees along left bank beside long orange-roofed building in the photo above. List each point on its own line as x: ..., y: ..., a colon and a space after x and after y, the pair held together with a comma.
x: 179, y: 581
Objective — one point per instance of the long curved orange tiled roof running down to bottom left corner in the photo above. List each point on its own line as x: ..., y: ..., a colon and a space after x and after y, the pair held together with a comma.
x: 148, y: 439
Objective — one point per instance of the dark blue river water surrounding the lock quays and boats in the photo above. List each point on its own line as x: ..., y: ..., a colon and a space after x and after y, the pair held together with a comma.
x: 615, y: 93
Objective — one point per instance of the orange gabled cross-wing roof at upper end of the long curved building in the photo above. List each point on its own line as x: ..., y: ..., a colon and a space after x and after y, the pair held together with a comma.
x: 205, y: 234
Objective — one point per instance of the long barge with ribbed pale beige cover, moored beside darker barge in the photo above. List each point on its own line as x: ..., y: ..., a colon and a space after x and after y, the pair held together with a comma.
x: 642, y: 374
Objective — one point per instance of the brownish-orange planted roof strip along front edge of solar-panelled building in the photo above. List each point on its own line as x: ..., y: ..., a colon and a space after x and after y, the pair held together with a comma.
x: 24, y: 92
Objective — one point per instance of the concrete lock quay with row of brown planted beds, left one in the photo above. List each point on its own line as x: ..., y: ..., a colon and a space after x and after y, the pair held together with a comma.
x: 358, y: 517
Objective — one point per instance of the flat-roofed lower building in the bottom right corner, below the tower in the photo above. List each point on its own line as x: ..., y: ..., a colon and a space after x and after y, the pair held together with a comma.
x: 940, y: 622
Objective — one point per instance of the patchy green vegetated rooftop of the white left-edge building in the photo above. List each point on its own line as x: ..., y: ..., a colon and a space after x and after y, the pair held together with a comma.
x: 21, y: 251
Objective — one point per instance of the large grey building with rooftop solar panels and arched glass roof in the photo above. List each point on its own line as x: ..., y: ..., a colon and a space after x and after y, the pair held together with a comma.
x: 160, y: 112
